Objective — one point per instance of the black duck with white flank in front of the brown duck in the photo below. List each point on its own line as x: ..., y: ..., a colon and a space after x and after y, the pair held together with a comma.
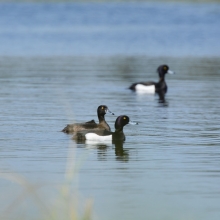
x: 104, y: 135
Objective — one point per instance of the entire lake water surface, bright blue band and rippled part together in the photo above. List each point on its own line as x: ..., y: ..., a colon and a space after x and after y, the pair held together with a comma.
x: 59, y: 62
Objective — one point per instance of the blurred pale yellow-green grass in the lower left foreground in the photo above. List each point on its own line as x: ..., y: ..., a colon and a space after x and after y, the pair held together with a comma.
x: 47, y: 201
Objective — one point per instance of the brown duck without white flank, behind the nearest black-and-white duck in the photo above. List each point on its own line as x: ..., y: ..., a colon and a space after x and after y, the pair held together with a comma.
x: 91, y: 125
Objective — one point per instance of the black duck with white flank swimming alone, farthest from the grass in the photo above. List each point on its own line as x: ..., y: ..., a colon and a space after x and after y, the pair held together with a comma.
x: 153, y: 87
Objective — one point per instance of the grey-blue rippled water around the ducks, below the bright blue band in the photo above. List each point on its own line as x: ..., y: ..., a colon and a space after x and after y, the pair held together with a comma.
x: 169, y: 162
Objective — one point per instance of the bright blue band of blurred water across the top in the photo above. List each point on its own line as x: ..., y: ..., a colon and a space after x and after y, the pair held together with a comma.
x: 170, y: 29
